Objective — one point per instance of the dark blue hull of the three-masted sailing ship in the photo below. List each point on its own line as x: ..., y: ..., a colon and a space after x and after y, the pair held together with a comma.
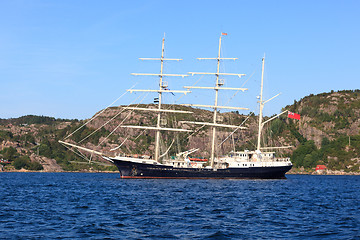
x: 140, y: 170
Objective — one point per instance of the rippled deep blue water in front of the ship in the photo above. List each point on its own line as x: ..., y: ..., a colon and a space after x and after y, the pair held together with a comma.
x: 102, y: 206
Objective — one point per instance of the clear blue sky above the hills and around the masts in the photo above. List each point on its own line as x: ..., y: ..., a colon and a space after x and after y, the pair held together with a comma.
x: 70, y: 59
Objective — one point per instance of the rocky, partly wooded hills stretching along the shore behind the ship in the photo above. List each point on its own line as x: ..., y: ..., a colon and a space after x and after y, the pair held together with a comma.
x: 328, y: 133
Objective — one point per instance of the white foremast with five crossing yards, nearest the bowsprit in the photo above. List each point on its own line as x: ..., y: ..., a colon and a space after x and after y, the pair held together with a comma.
x: 162, y: 88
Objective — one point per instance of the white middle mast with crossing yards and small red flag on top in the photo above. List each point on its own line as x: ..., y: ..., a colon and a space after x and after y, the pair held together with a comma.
x: 218, y: 85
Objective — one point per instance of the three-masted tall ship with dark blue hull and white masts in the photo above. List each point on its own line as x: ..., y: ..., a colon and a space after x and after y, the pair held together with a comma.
x: 259, y: 163
